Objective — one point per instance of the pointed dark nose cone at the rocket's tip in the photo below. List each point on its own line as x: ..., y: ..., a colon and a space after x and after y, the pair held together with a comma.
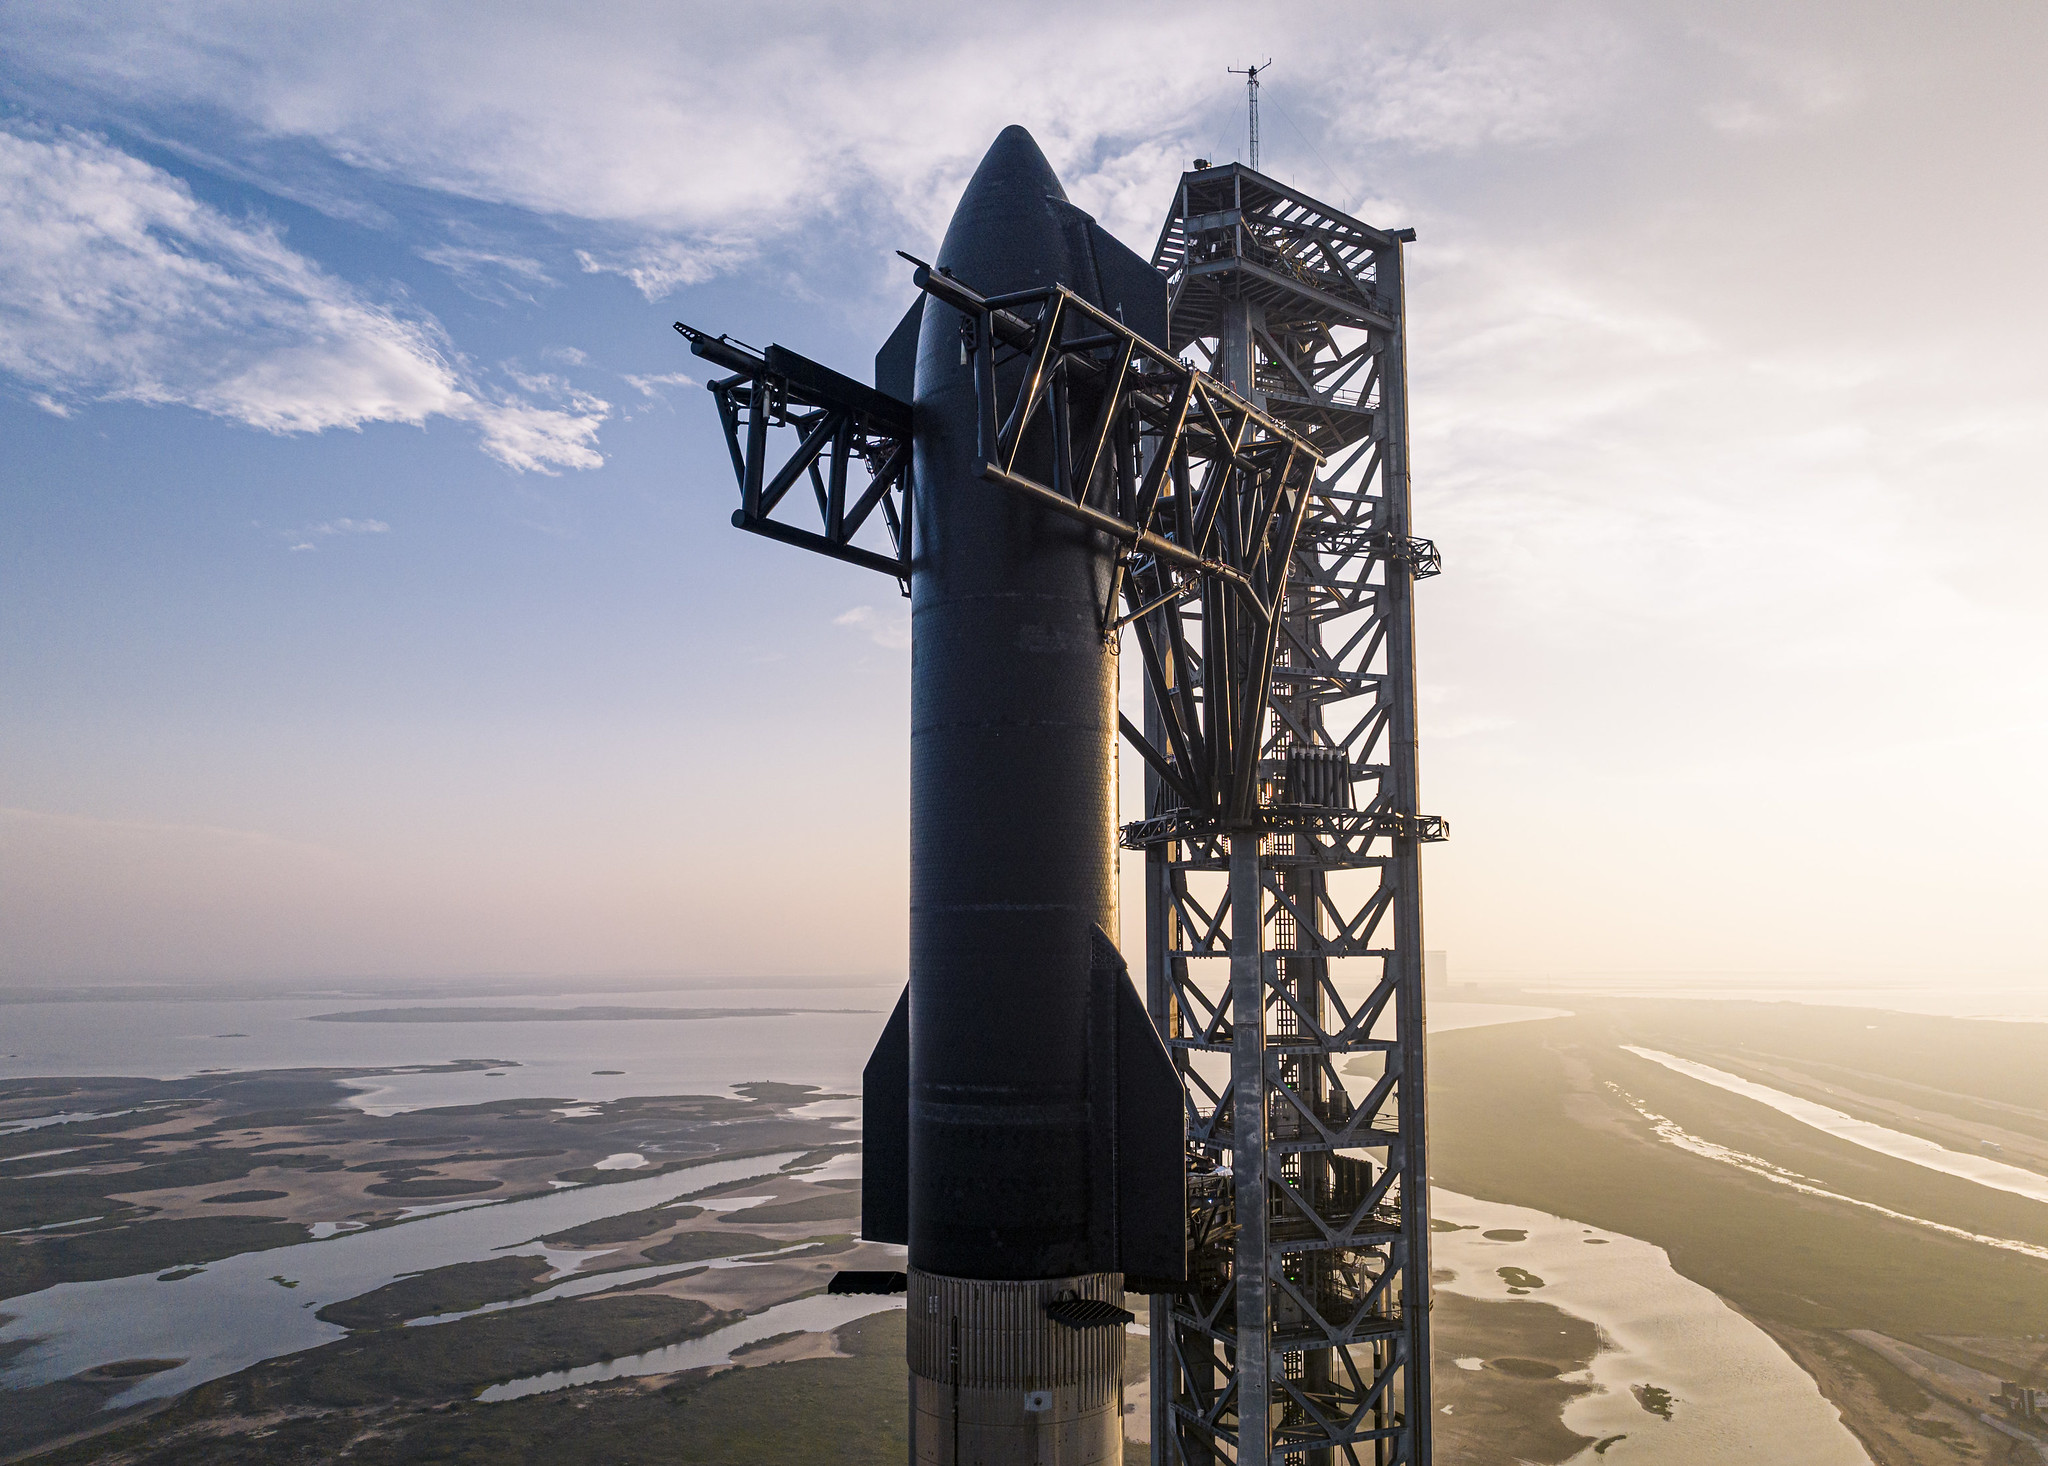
x: 1007, y: 234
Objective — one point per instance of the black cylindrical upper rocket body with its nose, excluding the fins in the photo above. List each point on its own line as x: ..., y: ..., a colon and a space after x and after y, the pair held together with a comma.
x: 1013, y: 797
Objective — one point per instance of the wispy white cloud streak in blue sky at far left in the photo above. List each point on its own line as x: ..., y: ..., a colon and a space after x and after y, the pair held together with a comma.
x: 120, y: 286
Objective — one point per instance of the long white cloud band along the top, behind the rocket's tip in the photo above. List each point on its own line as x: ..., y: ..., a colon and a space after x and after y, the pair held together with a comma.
x: 693, y: 134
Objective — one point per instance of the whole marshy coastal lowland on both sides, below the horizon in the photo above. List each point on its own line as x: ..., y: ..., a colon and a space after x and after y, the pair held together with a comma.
x: 626, y: 1277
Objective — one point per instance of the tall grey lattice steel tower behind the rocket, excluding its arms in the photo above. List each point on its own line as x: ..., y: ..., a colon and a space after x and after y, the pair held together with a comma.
x: 1285, y: 945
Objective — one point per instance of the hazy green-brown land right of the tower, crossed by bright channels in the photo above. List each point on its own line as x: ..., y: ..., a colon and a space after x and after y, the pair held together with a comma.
x: 1558, y: 1117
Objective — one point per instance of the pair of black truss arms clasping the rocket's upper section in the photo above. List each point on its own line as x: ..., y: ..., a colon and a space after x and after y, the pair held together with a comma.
x: 1199, y: 494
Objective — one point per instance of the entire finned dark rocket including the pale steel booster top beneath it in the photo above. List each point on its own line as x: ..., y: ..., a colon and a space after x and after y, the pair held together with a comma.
x: 1023, y: 1117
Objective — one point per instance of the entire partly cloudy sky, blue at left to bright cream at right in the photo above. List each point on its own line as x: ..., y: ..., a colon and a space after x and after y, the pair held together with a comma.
x: 368, y: 593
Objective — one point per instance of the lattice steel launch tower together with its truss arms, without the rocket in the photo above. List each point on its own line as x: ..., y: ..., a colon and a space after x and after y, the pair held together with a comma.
x: 1273, y: 611
